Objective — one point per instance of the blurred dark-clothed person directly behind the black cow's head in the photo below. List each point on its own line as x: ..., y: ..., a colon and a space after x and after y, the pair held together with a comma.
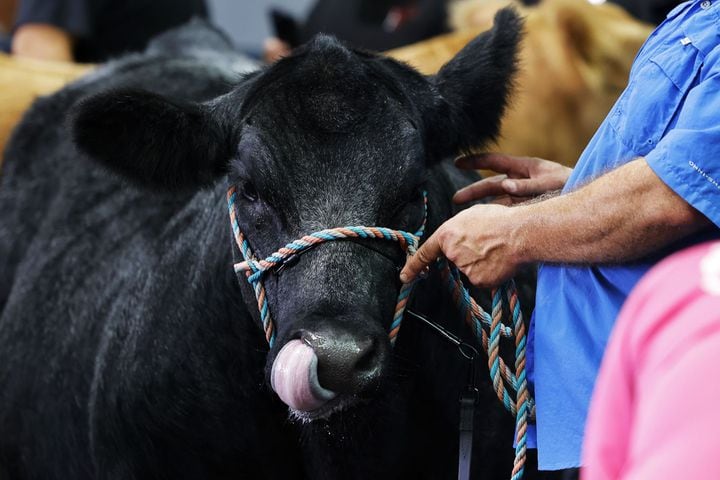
x: 368, y: 24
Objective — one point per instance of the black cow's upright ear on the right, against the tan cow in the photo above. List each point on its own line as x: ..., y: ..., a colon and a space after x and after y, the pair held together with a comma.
x: 474, y: 86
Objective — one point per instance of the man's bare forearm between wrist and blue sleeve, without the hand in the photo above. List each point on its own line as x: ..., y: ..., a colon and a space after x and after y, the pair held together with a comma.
x: 620, y: 216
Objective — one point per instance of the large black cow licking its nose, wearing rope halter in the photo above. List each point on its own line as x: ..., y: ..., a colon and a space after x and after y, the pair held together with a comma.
x: 130, y: 350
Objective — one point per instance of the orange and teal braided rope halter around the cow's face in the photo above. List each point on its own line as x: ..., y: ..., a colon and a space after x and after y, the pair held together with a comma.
x: 255, y: 269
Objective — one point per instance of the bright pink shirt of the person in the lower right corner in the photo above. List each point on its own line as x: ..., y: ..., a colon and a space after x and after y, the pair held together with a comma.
x: 654, y: 412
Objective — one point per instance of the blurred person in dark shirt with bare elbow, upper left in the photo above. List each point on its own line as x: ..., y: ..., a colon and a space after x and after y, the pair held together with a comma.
x: 95, y: 30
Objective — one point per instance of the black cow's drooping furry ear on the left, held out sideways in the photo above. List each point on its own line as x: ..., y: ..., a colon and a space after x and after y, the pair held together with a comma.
x: 152, y: 140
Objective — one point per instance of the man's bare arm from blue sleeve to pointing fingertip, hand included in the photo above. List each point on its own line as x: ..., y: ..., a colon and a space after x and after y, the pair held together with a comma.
x: 623, y: 215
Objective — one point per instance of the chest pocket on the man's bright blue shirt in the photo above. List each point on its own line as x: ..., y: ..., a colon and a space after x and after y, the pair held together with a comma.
x: 647, y: 107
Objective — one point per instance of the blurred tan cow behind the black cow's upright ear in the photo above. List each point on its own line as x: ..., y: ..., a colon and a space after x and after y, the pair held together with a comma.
x: 575, y: 62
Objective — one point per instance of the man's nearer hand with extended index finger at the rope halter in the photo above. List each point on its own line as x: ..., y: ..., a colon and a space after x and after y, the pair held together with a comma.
x: 481, y: 241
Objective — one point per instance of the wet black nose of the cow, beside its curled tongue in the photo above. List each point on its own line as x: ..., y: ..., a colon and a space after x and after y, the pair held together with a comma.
x: 347, y: 363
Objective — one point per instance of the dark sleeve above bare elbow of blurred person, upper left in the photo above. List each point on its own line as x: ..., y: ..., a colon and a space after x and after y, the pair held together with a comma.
x: 73, y: 16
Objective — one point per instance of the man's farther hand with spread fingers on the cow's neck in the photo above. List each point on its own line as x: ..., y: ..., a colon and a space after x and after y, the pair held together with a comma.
x: 523, y: 179
